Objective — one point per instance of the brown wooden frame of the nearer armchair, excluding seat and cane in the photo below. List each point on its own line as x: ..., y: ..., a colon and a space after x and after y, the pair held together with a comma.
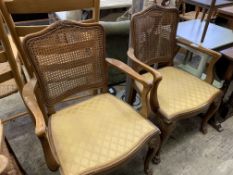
x: 30, y: 97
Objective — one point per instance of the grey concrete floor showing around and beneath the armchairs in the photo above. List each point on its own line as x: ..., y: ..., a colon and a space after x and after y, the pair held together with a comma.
x: 187, y: 152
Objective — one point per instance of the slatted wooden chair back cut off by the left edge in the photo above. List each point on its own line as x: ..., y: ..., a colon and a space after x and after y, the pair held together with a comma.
x: 9, y: 70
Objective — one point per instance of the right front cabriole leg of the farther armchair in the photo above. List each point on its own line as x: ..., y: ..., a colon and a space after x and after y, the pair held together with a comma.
x: 211, y: 111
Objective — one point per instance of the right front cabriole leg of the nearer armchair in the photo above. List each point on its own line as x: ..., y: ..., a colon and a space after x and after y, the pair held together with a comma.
x: 154, y: 145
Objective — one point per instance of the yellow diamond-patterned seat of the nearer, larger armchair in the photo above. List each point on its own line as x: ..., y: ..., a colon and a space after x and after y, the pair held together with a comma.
x: 97, y: 133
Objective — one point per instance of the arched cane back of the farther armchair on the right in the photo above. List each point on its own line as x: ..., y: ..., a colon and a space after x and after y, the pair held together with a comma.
x: 153, y: 34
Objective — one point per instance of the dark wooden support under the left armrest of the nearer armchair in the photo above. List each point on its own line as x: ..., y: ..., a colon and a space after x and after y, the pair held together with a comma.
x: 49, y: 158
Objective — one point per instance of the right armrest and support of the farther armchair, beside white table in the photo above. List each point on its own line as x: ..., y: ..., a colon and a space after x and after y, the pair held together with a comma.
x: 213, y: 54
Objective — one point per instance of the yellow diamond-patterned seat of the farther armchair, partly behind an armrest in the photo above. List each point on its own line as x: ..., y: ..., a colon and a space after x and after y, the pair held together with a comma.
x: 180, y: 92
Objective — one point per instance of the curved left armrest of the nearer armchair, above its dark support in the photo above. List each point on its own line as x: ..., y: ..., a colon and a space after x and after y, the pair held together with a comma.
x: 31, y: 103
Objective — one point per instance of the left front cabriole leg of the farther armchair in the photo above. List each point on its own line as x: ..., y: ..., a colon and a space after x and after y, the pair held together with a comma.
x: 166, y: 130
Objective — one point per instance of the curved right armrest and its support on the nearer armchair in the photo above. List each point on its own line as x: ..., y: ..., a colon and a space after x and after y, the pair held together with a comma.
x: 136, y: 76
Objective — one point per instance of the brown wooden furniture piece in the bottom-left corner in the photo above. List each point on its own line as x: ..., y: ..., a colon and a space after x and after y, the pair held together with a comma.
x: 8, y: 162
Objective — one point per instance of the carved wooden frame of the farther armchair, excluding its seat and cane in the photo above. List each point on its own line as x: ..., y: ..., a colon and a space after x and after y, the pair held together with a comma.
x: 166, y: 126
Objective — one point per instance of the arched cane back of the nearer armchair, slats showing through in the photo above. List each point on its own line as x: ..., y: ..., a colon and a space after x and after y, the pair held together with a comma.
x: 67, y: 58
